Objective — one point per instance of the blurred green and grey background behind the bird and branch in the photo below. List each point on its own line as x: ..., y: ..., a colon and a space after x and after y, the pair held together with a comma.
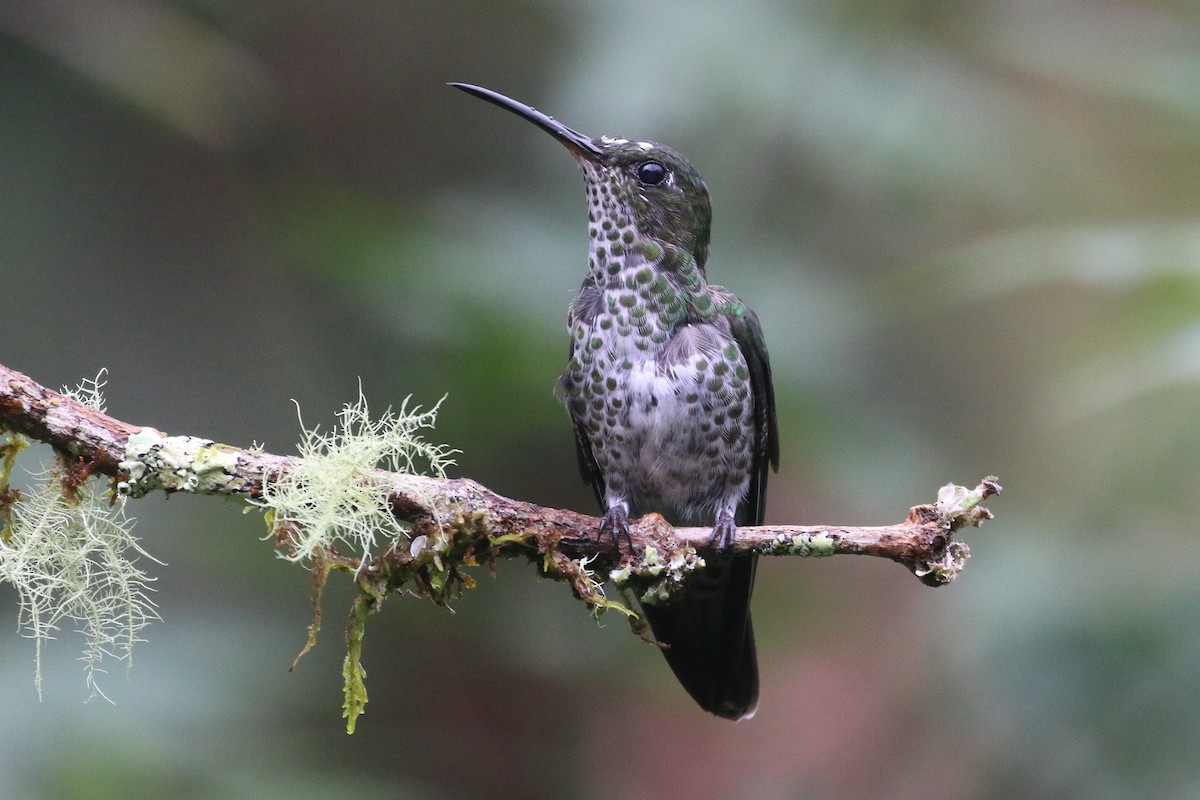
x: 971, y: 231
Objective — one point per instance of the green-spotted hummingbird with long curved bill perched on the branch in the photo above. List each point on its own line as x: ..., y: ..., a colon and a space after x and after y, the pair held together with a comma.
x: 670, y: 395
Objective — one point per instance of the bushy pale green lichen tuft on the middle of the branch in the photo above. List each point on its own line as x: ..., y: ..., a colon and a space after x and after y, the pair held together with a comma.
x: 334, y: 497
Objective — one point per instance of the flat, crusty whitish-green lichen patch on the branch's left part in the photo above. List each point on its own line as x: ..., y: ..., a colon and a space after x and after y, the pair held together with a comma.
x: 155, y: 461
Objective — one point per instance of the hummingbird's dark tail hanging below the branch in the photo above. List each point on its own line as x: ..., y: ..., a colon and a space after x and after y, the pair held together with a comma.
x: 711, y: 637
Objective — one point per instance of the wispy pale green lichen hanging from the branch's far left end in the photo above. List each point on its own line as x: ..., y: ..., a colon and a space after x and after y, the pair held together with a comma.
x: 71, y: 557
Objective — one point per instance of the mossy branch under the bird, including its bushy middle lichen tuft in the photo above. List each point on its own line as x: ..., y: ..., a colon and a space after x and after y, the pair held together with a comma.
x: 352, y: 503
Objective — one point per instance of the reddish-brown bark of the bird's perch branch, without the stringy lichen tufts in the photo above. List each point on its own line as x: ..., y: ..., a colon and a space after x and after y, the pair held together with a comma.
x: 469, y: 519
